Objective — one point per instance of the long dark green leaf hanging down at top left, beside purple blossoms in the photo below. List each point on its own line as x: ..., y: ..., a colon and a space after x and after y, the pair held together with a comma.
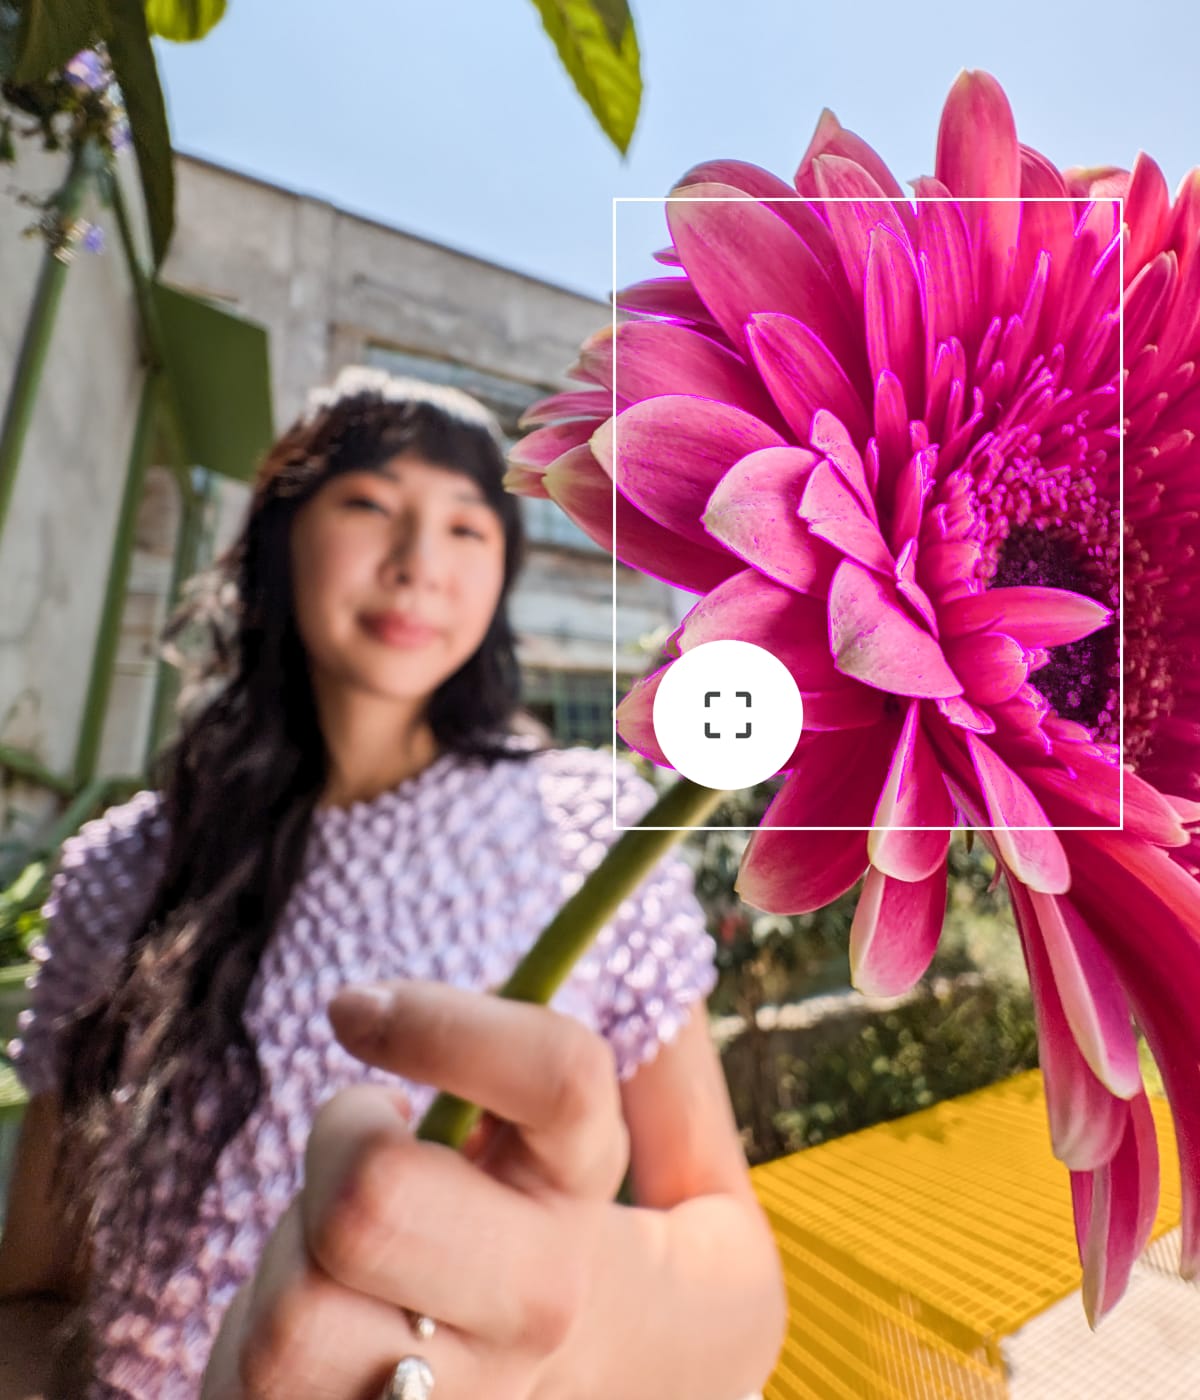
x: 137, y: 72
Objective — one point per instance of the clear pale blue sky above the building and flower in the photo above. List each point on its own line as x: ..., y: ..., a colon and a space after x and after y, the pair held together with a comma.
x: 457, y: 122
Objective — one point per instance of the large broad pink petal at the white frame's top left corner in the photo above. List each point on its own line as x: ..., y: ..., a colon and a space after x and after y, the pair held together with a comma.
x: 744, y: 258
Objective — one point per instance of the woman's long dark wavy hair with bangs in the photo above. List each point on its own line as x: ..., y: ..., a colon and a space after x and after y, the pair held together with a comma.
x: 240, y: 786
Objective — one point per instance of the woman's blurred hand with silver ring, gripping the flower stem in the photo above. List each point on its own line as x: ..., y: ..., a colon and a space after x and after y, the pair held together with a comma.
x: 496, y: 1244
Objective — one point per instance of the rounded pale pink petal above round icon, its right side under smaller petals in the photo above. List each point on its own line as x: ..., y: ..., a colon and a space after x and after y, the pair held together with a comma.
x: 754, y: 514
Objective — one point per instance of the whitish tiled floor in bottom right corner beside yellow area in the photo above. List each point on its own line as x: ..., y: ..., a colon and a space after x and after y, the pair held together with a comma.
x: 1147, y: 1349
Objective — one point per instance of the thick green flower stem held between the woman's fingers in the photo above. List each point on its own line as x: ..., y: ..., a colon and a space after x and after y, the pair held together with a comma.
x: 544, y: 969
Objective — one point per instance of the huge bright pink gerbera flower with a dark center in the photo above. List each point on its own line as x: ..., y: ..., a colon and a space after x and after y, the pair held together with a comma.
x: 881, y: 440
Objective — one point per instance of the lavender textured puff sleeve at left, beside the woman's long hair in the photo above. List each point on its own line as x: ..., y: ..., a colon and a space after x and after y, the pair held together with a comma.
x: 107, y: 877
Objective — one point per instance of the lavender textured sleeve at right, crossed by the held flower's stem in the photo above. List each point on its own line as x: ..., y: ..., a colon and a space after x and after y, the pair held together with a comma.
x: 655, y: 960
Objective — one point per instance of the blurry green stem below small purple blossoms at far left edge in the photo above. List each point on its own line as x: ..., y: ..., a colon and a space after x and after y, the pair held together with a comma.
x: 36, y: 344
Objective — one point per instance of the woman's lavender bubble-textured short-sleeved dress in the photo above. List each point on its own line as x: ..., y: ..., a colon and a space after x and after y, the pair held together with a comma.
x: 447, y: 877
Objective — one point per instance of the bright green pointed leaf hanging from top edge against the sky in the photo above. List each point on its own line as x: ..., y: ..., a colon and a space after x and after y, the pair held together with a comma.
x: 607, y: 73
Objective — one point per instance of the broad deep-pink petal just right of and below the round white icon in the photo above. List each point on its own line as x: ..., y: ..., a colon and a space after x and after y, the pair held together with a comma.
x: 834, y: 783
